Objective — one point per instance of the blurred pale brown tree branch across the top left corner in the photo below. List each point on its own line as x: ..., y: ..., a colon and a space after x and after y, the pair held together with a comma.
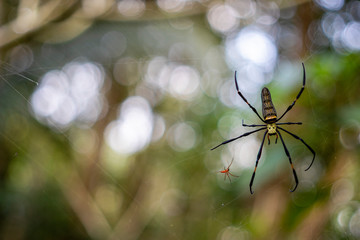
x: 57, y: 20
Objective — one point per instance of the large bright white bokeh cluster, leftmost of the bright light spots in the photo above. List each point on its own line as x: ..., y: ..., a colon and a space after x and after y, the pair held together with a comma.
x: 68, y: 95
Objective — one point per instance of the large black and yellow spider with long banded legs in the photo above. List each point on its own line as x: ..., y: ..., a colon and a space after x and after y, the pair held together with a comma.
x: 271, y: 127
